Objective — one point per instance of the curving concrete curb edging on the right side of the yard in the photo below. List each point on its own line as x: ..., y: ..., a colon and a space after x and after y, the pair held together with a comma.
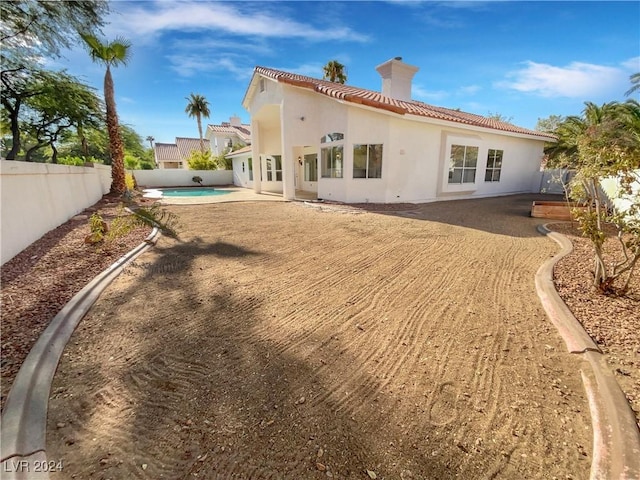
x: 616, y: 438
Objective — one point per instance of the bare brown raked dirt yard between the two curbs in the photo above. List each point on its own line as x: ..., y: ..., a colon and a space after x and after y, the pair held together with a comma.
x: 278, y: 340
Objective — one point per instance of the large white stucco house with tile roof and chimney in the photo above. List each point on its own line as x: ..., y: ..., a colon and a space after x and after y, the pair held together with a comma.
x: 349, y: 144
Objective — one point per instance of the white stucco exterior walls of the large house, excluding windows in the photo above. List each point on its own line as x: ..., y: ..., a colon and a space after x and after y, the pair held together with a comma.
x: 416, y: 150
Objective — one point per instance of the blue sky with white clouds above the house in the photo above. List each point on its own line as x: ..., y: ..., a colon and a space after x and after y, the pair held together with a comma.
x: 522, y: 60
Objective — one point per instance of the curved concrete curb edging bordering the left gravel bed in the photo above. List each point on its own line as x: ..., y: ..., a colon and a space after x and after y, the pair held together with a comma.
x: 24, y: 420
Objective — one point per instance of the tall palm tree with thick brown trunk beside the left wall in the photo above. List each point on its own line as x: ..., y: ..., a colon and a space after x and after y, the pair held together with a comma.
x: 112, y: 53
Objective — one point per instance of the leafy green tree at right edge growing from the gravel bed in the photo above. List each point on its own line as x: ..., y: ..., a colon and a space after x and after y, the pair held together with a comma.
x: 604, y: 142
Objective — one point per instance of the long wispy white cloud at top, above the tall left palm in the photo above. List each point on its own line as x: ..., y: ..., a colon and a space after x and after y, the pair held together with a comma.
x: 152, y: 18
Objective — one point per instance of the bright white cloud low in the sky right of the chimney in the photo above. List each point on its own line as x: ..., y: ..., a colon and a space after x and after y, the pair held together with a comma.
x: 576, y: 80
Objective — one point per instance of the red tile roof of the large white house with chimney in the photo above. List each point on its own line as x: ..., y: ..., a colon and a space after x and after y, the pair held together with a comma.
x: 402, y: 107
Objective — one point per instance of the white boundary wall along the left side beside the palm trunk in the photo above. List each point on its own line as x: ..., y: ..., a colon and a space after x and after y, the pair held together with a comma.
x: 38, y: 197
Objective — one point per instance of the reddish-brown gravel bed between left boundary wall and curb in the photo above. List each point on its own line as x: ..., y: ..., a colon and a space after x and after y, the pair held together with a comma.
x: 41, y: 279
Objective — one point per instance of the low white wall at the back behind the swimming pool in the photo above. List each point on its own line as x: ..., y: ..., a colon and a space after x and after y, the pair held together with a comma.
x: 181, y: 178
